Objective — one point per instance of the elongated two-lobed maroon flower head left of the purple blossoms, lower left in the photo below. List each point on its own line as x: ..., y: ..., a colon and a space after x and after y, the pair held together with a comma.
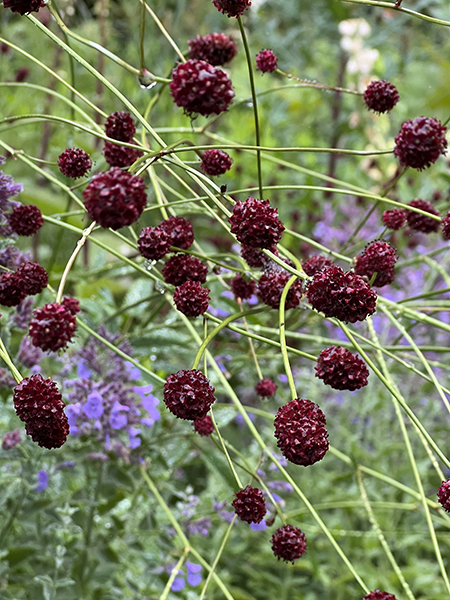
x: 39, y: 404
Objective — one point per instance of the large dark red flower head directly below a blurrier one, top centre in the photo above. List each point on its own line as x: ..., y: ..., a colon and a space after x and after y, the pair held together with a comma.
x: 198, y: 87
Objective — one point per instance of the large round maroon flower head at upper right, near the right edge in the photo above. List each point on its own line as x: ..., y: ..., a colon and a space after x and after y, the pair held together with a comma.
x: 420, y: 142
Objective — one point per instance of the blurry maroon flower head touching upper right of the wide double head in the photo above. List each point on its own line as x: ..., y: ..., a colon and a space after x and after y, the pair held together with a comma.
x: 377, y: 257
